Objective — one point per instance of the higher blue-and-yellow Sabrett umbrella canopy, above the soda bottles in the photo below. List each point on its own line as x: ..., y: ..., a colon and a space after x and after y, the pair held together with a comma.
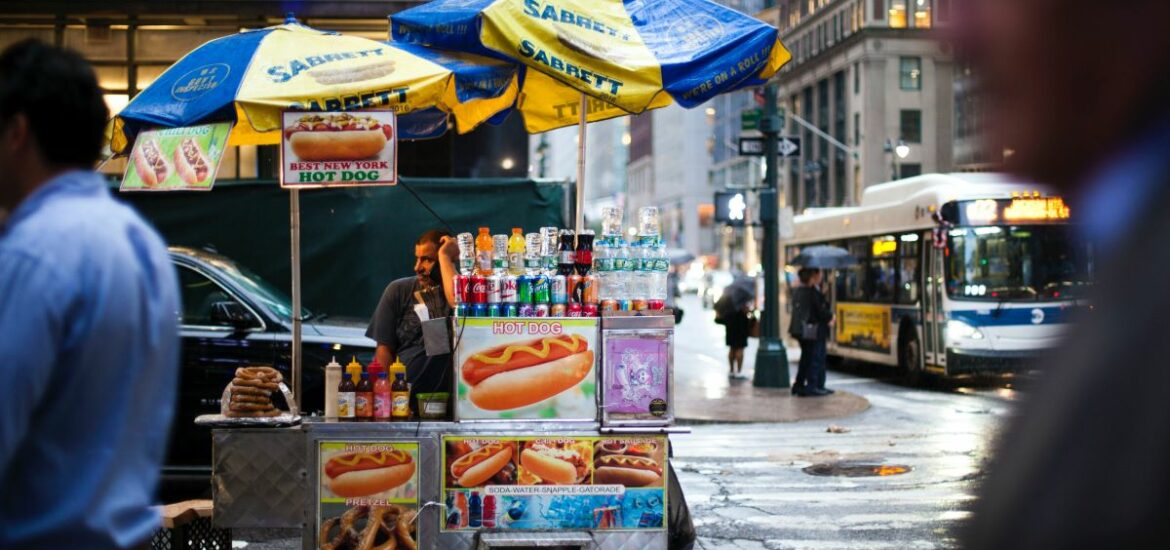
x: 631, y: 56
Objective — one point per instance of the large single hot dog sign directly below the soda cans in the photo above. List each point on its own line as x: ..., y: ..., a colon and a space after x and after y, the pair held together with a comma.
x: 527, y: 369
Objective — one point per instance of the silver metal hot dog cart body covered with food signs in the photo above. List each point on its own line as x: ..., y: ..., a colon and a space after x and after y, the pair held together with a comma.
x: 612, y: 429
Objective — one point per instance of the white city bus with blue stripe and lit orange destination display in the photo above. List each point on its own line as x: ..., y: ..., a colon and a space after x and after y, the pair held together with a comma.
x: 956, y: 274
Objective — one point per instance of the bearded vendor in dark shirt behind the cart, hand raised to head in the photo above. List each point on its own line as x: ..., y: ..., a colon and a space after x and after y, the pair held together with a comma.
x: 397, y: 324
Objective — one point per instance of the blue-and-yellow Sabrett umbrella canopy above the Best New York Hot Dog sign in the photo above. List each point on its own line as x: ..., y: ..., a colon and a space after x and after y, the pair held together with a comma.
x: 251, y: 78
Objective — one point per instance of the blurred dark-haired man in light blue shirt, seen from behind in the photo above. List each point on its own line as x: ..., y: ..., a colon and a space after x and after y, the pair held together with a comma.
x: 88, y: 321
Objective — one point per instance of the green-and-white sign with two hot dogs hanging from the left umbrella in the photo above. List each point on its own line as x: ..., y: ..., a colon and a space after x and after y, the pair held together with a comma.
x: 176, y: 159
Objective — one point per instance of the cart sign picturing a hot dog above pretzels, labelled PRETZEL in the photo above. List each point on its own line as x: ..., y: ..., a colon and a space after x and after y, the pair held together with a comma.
x: 369, y: 489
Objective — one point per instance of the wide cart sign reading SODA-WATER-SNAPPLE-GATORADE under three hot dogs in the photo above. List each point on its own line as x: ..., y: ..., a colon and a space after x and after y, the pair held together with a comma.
x: 555, y: 483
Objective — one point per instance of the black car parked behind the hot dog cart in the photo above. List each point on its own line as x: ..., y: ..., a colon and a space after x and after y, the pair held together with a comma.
x: 232, y: 318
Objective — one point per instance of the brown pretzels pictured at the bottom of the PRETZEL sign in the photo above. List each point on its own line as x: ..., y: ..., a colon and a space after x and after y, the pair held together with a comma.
x: 386, y: 528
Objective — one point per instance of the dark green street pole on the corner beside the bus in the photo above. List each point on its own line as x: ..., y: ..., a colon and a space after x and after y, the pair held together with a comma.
x: 772, y: 357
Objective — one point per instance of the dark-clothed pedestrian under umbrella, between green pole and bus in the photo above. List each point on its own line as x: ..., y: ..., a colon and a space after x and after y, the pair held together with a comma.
x: 811, y: 318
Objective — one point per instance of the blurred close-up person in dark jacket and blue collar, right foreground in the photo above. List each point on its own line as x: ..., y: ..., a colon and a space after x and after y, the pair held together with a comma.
x: 1084, y: 462
